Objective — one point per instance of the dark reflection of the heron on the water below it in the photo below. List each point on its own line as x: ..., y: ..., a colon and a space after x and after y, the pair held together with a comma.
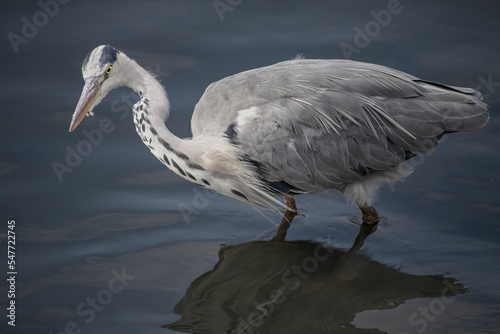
x: 298, y: 287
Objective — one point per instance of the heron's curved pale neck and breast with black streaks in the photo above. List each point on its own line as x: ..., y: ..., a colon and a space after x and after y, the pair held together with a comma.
x: 208, y: 160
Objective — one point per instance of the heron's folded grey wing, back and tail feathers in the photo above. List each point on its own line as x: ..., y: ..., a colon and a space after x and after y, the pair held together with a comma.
x: 321, y: 124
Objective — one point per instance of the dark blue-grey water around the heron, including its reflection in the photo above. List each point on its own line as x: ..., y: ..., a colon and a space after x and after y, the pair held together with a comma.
x: 119, y: 244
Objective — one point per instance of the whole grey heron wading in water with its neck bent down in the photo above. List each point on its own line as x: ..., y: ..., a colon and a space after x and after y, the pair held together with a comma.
x: 296, y: 127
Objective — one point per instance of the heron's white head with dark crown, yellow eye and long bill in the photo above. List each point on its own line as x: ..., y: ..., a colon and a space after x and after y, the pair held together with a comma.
x: 102, y: 73
